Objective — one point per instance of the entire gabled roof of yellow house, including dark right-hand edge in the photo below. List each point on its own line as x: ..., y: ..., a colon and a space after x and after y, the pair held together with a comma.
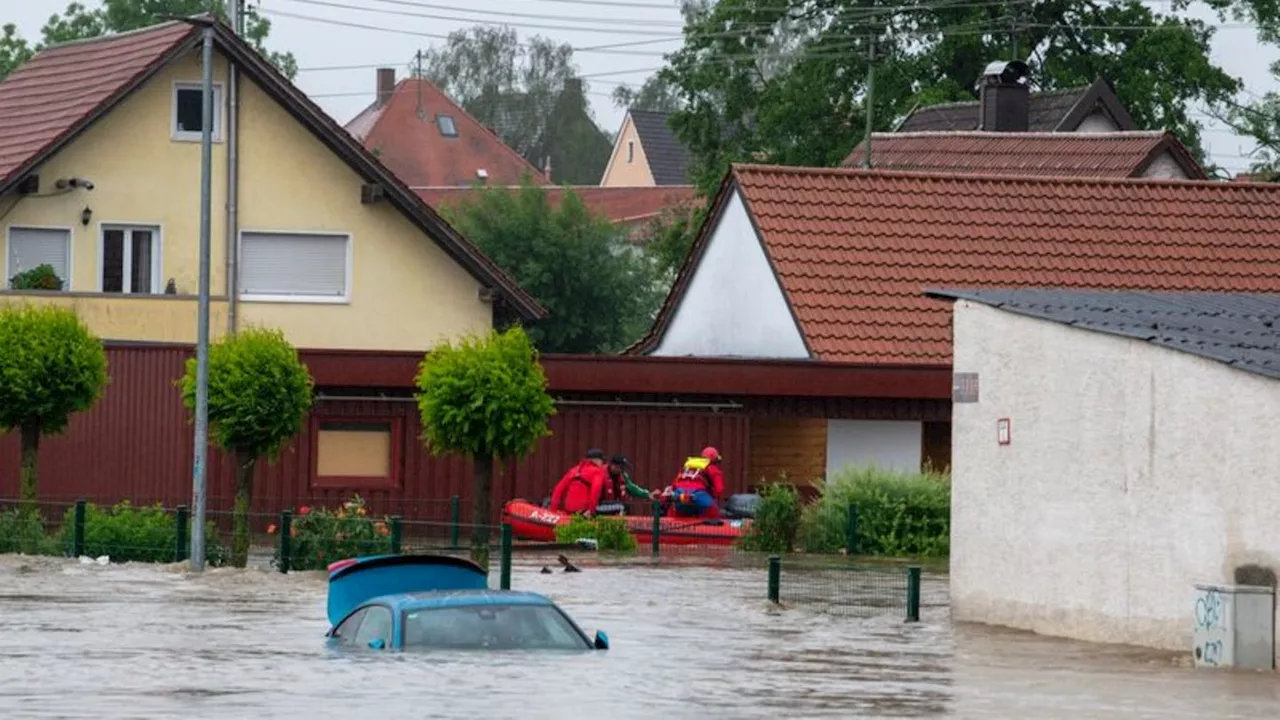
x: 63, y: 90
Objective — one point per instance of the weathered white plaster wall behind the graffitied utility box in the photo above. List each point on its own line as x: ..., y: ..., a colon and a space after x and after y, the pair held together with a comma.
x: 1133, y: 473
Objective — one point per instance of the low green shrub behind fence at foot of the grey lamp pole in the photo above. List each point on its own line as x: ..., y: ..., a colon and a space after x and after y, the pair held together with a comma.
x: 135, y: 535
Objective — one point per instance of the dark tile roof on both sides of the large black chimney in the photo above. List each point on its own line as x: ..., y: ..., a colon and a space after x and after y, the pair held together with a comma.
x: 1057, y: 111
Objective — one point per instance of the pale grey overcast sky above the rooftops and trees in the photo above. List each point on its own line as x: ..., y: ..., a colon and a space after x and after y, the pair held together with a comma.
x: 395, y: 29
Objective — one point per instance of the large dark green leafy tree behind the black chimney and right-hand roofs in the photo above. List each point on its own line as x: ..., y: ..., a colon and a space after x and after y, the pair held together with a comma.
x: 785, y: 80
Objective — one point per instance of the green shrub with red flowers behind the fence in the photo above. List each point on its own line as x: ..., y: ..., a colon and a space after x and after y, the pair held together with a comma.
x: 319, y: 536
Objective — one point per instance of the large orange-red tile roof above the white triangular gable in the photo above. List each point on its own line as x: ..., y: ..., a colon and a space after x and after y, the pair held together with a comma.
x: 856, y: 250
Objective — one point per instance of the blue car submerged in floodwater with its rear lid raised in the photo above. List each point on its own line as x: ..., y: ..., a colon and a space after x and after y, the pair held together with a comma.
x: 432, y: 601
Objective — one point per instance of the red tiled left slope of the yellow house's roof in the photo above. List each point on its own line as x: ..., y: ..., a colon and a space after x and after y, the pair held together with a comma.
x: 60, y: 92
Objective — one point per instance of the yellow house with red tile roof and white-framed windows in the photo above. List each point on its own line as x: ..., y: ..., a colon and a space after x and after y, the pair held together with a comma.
x: 100, y: 179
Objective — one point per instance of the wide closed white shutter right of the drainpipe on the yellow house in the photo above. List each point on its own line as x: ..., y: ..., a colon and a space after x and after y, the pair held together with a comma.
x: 313, y: 266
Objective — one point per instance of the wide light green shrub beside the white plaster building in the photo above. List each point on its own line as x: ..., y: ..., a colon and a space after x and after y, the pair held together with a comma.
x: 899, y: 514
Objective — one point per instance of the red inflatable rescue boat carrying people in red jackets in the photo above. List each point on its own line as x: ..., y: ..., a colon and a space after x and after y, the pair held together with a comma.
x: 536, y: 523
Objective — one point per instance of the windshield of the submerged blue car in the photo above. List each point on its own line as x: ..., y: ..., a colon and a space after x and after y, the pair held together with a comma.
x: 492, y: 627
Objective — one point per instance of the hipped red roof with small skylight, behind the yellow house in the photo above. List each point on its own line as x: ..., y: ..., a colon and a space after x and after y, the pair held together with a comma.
x: 413, y: 147
